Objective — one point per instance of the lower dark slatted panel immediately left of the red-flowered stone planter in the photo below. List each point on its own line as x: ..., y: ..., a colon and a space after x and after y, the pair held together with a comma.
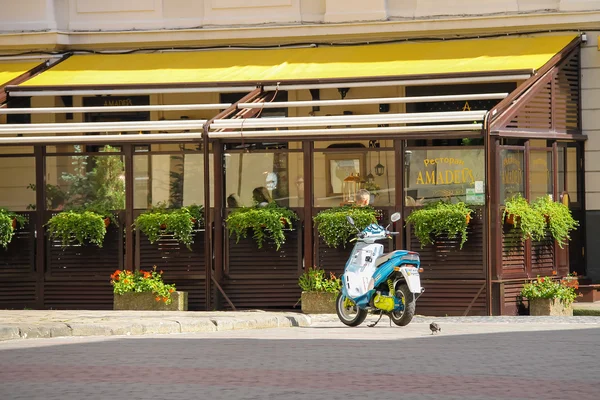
x: 76, y: 294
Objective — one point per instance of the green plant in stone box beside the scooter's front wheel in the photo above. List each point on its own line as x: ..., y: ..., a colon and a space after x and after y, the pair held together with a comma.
x: 319, y: 293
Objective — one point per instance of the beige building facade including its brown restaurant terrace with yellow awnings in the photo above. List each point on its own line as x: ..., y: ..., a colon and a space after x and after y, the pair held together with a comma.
x: 532, y: 67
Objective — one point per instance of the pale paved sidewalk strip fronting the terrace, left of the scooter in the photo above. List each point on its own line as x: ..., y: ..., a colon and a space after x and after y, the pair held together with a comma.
x: 28, y: 324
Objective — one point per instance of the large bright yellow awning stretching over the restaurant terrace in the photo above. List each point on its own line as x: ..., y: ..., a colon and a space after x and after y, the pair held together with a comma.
x: 354, y: 62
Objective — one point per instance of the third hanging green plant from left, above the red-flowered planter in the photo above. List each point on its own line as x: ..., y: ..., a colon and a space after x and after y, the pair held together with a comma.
x: 179, y: 222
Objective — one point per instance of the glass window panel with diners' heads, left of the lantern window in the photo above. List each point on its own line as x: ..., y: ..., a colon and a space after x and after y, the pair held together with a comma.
x: 253, y: 178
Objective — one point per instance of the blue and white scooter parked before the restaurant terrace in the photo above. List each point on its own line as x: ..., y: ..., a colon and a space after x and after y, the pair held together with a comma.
x: 387, y: 284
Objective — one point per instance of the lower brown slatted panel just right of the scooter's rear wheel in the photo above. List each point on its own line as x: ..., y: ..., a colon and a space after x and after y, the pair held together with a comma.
x: 452, y: 298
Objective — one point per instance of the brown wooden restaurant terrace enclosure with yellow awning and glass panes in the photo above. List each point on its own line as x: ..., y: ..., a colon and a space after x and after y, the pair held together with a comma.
x: 475, y: 120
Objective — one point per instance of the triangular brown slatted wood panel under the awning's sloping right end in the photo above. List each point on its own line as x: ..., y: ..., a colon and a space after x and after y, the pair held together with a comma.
x: 536, y: 114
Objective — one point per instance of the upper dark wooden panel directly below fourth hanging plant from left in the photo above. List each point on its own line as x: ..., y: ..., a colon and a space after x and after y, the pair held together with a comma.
x: 245, y: 258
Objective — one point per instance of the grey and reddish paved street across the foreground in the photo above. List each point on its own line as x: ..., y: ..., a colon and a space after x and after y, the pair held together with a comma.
x: 470, y: 359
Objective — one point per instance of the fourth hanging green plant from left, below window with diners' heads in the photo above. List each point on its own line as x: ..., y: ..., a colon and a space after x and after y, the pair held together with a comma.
x: 266, y: 222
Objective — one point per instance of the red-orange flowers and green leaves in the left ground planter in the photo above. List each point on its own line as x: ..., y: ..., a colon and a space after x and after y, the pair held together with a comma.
x: 142, y: 281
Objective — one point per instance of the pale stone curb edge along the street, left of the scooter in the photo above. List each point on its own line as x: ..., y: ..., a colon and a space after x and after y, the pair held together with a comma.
x: 144, y: 326
